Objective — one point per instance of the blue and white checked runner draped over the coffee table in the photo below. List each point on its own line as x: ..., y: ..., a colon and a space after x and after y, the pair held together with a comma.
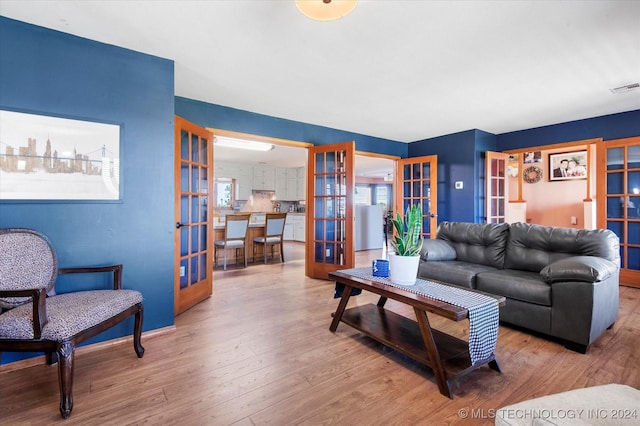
x: 483, y: 310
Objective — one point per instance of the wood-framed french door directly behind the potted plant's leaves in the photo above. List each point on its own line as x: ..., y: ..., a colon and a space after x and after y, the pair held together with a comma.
x: 417, y: 183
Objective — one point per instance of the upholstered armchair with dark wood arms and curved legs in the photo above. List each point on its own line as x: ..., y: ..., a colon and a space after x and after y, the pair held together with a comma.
x: 34, y: 319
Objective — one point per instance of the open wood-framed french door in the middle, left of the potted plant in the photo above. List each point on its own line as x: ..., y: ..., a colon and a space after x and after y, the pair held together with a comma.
x: 330, y: 212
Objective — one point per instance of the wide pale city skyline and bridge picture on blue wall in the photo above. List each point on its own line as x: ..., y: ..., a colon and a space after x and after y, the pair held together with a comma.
x: 44, y: 157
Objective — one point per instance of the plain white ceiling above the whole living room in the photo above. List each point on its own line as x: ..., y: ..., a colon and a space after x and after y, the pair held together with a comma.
x: 401, y: 70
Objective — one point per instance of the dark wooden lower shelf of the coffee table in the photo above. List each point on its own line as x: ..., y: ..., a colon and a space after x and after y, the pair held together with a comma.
x: 403, y: 334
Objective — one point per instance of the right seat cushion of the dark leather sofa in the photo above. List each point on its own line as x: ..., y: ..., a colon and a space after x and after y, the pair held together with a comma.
x: 520, y: 285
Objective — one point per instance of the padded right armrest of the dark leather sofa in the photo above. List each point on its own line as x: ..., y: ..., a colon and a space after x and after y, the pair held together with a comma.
x: 579, y: 268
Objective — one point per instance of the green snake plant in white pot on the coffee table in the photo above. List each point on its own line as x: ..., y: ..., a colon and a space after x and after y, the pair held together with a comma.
x: 407, y: 243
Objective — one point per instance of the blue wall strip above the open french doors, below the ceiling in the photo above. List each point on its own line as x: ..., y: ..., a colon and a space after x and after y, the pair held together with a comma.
x: 219, y: 117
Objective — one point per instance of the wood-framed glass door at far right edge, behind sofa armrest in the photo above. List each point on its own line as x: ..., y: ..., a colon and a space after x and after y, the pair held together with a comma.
x: 619, y: 195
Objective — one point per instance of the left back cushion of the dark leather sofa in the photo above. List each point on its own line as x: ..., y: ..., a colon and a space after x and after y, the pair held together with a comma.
x: 481, y: 243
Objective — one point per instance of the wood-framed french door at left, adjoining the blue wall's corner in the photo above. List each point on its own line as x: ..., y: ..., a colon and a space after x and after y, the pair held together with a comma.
x: 193, y: 237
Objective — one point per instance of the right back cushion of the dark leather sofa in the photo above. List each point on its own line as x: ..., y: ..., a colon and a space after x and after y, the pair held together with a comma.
x: 532, y: 247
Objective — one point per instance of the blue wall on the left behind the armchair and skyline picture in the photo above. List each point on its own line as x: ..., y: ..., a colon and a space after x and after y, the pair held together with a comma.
x: 52, y: 73
